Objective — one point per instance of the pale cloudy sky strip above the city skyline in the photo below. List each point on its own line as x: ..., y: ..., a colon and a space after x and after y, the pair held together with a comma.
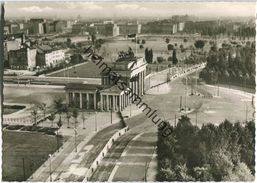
x: 132, y: 9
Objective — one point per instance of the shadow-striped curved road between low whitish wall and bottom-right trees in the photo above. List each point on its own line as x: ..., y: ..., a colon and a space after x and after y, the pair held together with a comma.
x: 127, y: 149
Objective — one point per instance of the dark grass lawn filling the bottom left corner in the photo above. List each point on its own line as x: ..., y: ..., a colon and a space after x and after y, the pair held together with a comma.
x: 32, y: 146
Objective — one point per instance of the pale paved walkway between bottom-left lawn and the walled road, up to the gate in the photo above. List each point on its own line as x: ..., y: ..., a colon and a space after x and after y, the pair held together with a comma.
x: 69, y: 165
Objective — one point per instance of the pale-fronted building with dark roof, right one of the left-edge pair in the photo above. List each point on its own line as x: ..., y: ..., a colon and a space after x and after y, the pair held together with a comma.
x: 48, y: 56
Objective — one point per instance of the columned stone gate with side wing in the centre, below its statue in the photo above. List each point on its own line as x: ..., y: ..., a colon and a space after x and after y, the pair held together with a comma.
x: 110, y: 95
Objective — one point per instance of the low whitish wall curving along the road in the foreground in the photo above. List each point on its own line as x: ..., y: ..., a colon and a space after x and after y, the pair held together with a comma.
x: 102, y: 154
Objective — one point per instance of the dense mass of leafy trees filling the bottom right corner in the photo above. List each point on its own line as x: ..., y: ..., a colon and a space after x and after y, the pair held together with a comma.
x: 211, y: 153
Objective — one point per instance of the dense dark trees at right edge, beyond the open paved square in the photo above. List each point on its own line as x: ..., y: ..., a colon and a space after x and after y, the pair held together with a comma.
x: 234, y: 64
